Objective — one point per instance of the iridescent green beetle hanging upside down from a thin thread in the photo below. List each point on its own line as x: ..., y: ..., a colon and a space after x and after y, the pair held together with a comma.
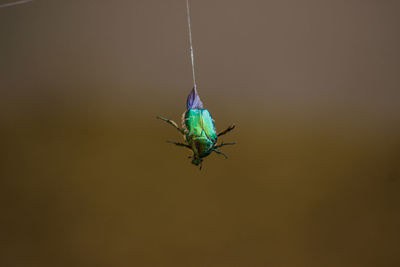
x: 198, y: 130
